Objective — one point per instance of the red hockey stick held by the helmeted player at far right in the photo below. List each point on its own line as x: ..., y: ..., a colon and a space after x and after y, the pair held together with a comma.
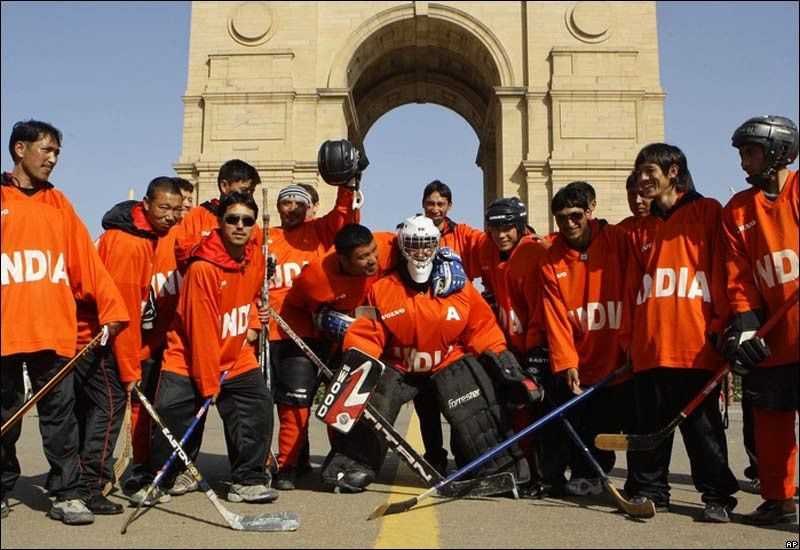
x: 646, y: 442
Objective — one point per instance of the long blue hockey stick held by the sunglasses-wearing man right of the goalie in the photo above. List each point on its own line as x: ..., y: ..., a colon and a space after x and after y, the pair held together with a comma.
x: 398, y: 507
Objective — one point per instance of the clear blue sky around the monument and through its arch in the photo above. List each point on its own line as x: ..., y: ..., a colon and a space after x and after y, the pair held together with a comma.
x: 111, y: 75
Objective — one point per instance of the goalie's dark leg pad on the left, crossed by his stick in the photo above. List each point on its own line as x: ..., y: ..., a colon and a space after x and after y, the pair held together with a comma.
x: 356, y: 457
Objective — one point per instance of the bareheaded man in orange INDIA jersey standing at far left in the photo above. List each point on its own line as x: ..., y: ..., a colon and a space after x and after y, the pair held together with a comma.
x: 48, y: 261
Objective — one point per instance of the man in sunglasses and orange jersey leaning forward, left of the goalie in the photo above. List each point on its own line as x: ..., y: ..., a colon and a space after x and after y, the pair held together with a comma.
x: 209, y: 337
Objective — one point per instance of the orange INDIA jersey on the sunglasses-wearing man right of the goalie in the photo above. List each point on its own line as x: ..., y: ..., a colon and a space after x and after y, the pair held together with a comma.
x: 583, y: 297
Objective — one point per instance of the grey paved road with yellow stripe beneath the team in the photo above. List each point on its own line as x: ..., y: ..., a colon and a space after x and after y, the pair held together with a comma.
x: 339, y: 521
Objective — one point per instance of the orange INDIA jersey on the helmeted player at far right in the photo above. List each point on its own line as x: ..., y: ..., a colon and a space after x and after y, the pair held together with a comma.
x: 763, y: 261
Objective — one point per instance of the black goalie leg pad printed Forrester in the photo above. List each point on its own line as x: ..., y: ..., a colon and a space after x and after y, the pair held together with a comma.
x: 477, y: 422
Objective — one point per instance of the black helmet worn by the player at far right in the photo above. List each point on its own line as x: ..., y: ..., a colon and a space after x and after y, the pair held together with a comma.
x: 777, y: 134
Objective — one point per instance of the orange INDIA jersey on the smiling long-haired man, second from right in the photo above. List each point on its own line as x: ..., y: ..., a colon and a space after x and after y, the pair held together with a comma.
x: 676, y: 283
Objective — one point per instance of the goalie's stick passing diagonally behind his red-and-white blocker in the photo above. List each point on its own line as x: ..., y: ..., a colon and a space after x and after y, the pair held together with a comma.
x: 490, y: 485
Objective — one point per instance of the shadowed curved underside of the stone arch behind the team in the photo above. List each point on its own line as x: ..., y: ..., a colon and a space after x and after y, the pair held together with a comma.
x: 427, y: 60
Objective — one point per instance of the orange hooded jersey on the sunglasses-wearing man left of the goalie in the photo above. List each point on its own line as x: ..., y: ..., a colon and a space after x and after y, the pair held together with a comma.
x: 209, y: 332
